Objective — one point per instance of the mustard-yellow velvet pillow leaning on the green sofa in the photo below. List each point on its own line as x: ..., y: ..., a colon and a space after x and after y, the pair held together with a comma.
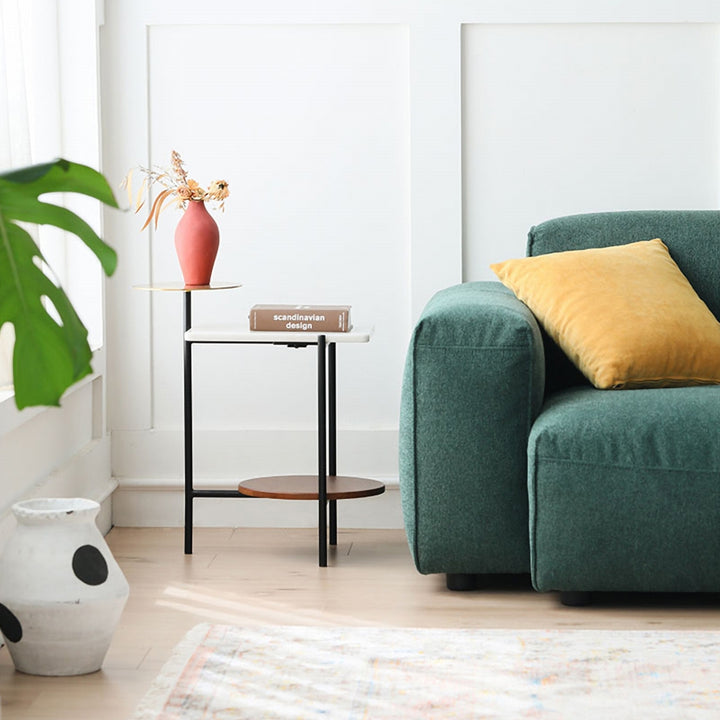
x: 625, y: 315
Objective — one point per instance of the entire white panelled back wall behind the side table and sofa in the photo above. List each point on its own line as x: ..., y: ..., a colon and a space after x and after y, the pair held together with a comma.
x: 377, y: 152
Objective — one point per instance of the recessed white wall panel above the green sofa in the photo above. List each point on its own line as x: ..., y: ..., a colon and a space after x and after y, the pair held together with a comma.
x: 569, y: 118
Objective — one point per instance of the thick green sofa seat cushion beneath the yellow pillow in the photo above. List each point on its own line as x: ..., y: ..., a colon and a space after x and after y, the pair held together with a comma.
x: 624, y: 490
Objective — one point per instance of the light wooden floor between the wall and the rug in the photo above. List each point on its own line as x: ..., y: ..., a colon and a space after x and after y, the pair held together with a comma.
x: 269, y: 577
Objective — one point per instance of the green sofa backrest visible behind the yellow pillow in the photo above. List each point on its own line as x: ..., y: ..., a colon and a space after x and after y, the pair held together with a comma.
x: 692, y: 236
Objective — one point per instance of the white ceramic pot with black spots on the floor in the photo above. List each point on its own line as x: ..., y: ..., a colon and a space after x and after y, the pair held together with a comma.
x: 61, y: 591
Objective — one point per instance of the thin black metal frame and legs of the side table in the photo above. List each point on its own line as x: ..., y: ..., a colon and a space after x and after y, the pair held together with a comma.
x: 327, y: 431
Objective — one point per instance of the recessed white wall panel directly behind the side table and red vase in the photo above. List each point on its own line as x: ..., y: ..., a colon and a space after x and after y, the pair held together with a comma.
x: 309, y: 124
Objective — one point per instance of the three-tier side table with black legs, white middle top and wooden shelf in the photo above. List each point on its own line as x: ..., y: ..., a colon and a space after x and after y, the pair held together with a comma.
x: 326, y: 487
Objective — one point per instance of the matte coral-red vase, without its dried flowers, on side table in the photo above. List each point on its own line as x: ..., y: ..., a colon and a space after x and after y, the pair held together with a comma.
x: 196, y: 241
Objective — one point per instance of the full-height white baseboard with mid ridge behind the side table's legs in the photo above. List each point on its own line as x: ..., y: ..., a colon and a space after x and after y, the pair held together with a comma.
x: 148, y: 466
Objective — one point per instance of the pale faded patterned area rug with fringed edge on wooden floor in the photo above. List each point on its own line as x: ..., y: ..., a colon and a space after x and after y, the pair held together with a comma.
x: 224, y: 672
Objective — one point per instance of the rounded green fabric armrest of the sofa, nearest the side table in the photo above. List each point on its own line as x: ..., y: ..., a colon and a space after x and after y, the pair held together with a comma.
x: 472, y: 387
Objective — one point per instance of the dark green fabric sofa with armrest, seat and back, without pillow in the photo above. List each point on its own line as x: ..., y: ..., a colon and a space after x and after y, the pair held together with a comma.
x: 511, y: 462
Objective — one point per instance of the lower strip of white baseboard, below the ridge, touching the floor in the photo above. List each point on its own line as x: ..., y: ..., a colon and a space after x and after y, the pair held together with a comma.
x: 152, y: 503
